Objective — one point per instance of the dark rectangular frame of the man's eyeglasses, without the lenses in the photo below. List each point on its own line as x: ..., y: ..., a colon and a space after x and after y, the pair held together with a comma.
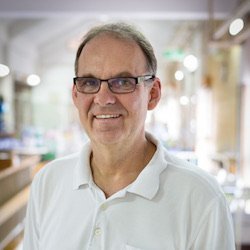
x: 138, y: 80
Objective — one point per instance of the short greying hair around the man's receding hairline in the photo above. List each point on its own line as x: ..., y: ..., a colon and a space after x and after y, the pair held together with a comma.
x: 125, y: 32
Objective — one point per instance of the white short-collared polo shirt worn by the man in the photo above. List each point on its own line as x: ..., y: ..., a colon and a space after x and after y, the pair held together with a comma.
x: 171, y: 205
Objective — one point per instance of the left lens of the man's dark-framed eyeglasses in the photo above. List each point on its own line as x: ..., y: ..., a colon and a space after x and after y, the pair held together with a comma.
x: 87, y: 85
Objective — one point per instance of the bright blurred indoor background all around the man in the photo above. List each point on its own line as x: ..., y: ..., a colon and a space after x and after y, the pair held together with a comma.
x: 203, y: 52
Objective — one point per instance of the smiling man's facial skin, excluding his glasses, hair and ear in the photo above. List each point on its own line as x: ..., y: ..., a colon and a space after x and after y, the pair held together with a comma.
x: 110, y: 118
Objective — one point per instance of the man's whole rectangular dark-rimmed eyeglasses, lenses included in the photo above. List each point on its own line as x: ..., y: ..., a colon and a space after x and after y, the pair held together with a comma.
x: 118, y: 85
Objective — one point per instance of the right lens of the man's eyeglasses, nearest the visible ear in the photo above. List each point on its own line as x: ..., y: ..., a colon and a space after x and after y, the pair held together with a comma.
x: 122, y: 85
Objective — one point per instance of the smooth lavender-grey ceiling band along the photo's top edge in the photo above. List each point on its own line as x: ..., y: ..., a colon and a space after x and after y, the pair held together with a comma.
x: 166, y: 8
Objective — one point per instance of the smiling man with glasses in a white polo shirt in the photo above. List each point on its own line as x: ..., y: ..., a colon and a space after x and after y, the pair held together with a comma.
x: 123, y: 190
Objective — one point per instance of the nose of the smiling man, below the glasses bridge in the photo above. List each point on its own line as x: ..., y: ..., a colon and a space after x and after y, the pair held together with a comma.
x: 104, y: 96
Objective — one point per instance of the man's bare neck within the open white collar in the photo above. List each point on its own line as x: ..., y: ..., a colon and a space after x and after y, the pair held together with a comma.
x: 115, y: 167
